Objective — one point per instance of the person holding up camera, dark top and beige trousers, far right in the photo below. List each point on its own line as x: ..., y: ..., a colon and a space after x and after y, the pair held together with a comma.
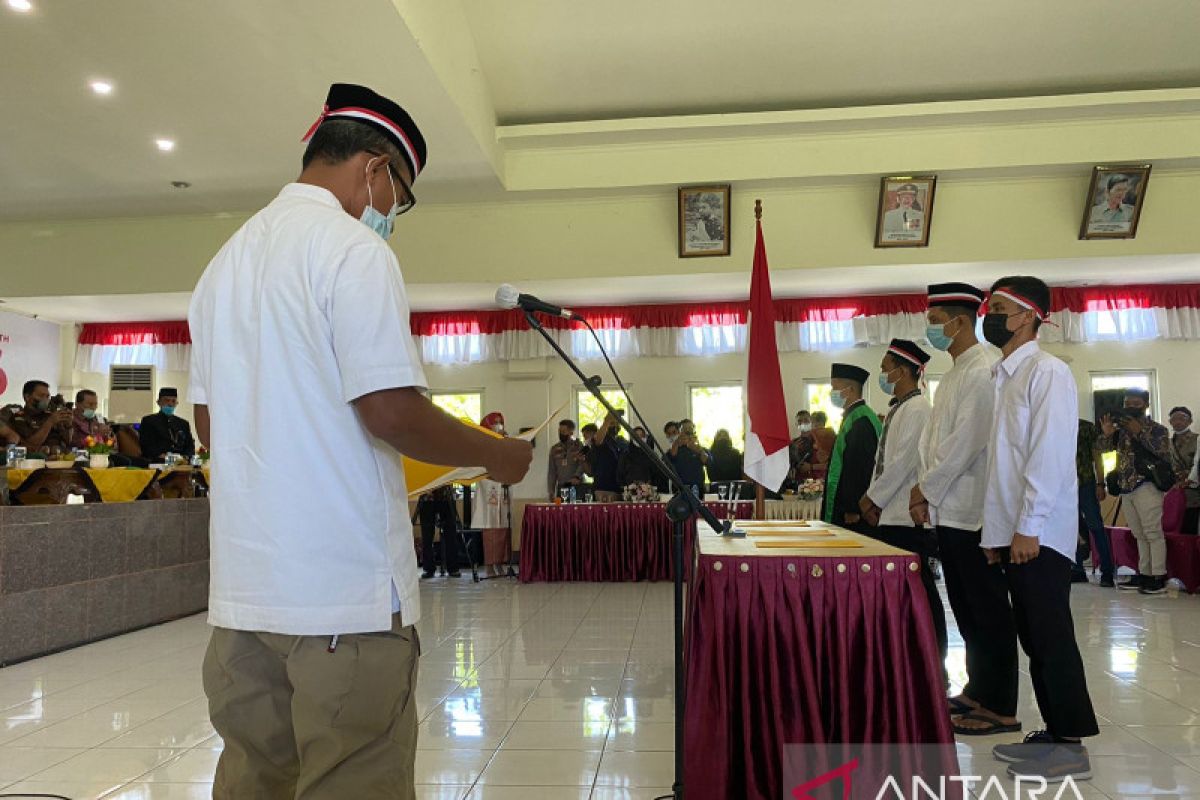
x: 1144, y: 452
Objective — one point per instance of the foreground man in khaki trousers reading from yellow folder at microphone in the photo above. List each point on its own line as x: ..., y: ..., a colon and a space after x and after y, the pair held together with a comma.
x: 311, y: 670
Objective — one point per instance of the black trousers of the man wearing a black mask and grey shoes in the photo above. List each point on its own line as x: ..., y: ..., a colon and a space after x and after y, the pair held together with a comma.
x: 1041, y: 593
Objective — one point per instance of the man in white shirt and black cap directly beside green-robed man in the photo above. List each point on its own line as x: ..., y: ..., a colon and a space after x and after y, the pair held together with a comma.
x: 886, y: 504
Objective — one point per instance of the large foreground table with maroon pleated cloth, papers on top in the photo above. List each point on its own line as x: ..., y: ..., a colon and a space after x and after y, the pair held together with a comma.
x: 789, y: 647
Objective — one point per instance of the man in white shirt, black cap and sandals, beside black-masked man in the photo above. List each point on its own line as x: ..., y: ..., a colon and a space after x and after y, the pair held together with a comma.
x: 950, y: 496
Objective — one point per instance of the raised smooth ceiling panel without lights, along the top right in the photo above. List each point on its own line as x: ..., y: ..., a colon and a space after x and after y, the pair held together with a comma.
x: 698, y: 57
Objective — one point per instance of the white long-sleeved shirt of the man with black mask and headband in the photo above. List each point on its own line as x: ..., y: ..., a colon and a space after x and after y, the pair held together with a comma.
x: 1033, y: 484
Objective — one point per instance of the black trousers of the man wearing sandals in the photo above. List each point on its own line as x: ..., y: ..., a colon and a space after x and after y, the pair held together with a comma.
x: 979, y: 597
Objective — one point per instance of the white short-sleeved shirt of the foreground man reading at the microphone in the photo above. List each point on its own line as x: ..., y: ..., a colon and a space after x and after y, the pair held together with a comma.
x: 302, y: 312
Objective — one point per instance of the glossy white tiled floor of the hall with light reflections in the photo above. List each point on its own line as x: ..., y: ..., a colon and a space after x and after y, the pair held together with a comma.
x: 555, y: 691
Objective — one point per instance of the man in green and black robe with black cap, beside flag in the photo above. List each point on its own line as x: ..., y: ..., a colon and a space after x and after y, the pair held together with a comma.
x: 854, y: 450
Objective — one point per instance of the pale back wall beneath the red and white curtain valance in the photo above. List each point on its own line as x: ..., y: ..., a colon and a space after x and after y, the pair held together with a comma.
x: 527, y: 392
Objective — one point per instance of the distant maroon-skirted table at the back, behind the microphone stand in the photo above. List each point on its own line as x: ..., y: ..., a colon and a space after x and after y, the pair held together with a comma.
x: 610, y: 542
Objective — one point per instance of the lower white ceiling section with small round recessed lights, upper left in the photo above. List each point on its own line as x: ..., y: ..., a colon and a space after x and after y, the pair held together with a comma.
x: 235, y: 83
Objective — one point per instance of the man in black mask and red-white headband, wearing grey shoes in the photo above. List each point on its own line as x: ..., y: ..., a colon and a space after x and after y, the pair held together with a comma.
x: 1031, y: 524
